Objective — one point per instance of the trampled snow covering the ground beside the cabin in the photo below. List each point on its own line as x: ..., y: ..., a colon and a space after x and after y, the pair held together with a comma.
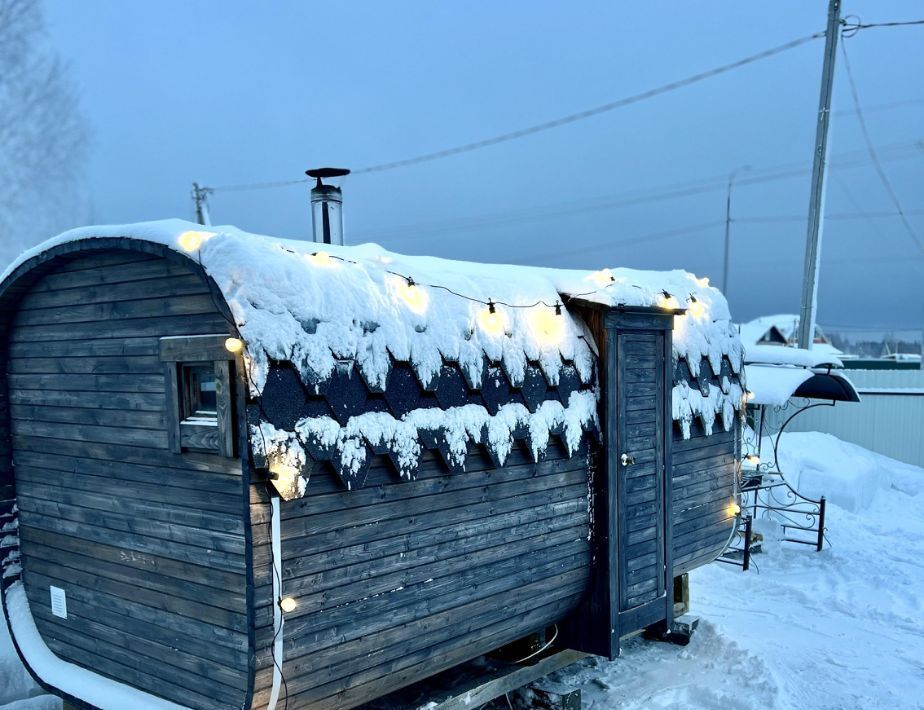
x: 838, y: 629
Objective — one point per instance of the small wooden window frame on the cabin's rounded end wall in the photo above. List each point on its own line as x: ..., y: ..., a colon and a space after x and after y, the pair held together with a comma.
x: 180, y: 355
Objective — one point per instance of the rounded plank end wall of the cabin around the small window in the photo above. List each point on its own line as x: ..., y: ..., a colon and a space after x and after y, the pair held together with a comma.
x: 148, y: 545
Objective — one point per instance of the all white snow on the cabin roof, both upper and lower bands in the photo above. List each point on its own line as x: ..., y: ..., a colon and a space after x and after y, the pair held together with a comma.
x: 314, y: 313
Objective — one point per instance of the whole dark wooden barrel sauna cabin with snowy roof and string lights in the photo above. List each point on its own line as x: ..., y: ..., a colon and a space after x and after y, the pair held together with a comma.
x: 241, y: 473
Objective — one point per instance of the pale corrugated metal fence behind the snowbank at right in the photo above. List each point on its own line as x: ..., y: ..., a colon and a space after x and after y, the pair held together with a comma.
x: 889, y: 420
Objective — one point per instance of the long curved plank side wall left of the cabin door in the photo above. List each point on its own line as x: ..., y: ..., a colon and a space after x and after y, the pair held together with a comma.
x: 402, y: 579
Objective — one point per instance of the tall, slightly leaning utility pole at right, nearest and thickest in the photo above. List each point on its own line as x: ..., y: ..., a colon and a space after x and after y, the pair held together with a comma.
x: 819, y: 168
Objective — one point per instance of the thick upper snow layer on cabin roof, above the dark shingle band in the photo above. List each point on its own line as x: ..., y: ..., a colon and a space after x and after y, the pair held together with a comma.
x: 290, y: 308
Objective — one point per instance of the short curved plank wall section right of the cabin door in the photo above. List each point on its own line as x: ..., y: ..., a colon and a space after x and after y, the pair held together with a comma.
x: 704, y: 487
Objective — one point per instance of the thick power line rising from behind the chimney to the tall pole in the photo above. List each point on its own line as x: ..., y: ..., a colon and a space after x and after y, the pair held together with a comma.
x: 548, y: 125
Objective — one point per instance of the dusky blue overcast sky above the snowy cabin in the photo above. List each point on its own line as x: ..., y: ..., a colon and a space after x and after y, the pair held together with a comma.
x: 237, y: 92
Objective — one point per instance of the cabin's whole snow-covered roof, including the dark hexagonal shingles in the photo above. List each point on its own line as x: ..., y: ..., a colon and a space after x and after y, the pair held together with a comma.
x: 358, y: 325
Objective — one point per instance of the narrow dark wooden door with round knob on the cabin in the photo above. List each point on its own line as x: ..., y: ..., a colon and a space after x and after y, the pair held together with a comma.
x: 642, y: 505
